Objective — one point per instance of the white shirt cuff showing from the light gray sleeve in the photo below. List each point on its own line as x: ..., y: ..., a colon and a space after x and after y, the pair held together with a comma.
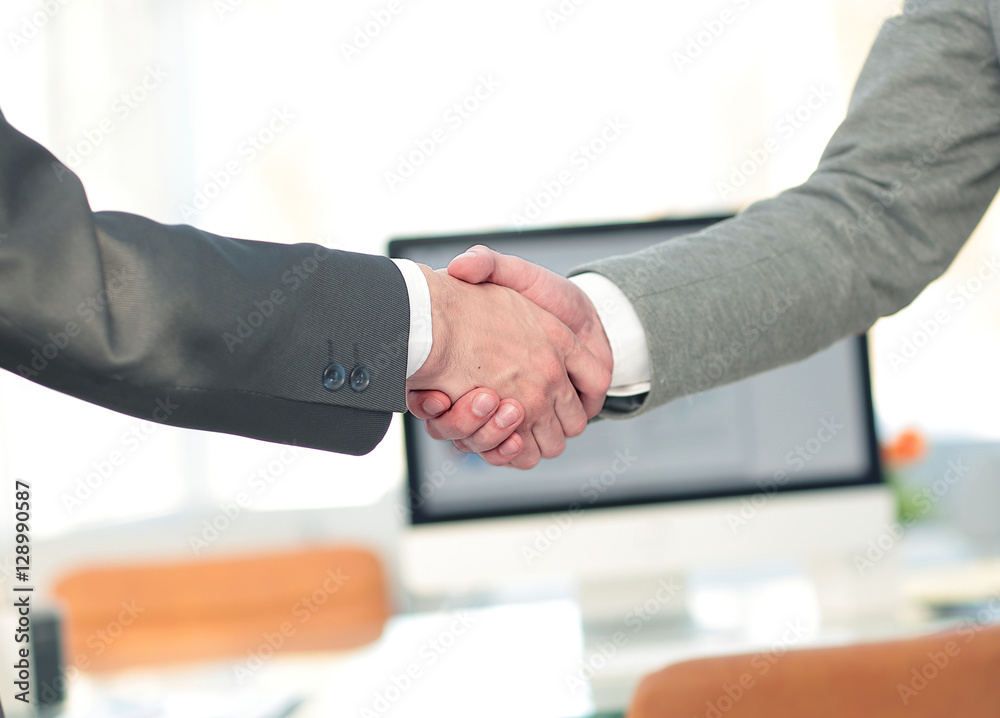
x: 629, y: 349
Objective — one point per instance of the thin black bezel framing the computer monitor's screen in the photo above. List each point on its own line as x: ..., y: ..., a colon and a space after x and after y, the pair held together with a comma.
x: 873, y: 474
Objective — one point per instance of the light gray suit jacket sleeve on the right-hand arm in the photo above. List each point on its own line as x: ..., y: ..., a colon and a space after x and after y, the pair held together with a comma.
x: 899, y: 189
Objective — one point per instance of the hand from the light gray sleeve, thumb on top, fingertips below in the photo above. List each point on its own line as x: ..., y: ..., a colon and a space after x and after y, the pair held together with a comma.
x: 474, y: 431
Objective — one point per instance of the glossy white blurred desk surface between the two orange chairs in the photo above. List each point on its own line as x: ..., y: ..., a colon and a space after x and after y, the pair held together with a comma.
x: 513, y: 660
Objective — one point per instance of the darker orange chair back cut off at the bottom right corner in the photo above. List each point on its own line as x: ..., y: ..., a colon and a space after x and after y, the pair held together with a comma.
x: 948, y: 674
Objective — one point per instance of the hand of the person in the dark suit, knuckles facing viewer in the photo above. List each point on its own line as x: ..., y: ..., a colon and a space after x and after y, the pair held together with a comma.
x: 487, y: 335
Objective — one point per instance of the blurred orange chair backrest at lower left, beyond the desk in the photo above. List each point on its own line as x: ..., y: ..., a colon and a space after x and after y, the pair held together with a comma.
x: 124, y: 616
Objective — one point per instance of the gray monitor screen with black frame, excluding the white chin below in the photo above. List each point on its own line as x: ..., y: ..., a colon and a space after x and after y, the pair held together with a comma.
x: 806, y: 425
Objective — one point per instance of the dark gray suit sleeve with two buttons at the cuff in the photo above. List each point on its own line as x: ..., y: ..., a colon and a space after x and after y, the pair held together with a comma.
x: 186, y: 328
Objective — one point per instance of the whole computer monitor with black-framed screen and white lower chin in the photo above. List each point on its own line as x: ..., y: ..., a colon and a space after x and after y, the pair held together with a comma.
x: 776, y: 466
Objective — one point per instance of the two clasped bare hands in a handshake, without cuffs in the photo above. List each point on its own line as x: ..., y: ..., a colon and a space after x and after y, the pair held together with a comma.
x: 504, y: 327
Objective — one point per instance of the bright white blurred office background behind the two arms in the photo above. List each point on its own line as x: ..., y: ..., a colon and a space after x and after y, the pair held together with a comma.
x: 154, y: 105
